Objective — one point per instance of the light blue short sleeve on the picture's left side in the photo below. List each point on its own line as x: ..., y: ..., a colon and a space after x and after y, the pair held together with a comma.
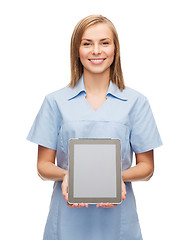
x: 45, y: 128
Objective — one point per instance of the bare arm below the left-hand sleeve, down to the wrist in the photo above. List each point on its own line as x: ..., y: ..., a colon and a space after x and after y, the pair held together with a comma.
x: 46, y: 167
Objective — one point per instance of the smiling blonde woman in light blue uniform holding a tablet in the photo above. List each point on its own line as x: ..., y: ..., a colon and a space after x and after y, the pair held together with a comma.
x: 96, y: 104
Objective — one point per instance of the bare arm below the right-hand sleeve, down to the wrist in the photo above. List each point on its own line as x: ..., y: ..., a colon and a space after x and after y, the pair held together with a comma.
x: 143, y: 170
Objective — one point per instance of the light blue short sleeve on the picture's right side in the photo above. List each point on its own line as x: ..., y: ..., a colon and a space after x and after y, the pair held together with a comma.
x: 144, y: 134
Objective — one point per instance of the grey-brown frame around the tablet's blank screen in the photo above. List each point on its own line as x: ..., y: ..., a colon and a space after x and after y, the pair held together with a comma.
x: 94, y: 200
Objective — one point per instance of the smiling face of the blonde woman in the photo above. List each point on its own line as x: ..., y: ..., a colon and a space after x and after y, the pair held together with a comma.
x: 97, y: 49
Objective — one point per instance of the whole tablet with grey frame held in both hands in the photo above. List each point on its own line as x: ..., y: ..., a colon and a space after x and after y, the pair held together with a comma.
x: 94, y: 170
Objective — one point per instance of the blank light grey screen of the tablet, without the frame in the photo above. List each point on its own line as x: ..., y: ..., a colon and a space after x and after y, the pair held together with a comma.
x: 94, y: 170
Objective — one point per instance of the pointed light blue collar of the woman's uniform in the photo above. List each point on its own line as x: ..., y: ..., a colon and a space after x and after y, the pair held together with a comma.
x: 113, y: 90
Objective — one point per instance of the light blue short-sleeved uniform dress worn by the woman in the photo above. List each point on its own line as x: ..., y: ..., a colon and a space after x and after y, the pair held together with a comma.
x: 66, y: 114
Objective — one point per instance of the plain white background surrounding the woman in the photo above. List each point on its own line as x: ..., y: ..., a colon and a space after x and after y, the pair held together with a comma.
x: 156, y: 52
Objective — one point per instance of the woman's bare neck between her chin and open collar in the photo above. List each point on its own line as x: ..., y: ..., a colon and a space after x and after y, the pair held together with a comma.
x: 96, y: 83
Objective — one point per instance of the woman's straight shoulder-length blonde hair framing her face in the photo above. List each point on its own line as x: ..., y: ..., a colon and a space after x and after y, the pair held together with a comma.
x: 116, y: 75
